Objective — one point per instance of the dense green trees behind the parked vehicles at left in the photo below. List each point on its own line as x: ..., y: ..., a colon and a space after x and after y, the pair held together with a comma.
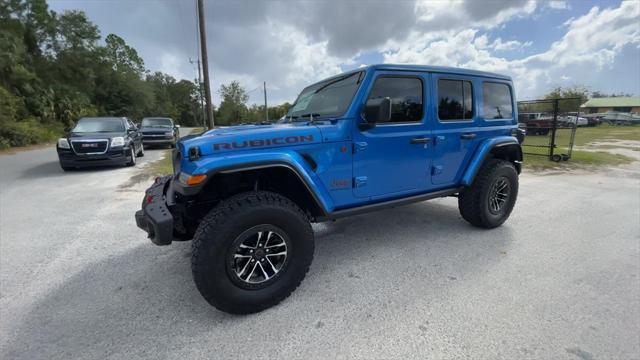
x: 56, y: 68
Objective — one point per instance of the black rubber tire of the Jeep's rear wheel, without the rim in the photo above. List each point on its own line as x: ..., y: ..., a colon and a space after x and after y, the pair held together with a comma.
x: 473, y: 202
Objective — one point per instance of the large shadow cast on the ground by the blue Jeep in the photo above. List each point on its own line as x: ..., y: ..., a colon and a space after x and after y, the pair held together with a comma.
x: 144, y: 299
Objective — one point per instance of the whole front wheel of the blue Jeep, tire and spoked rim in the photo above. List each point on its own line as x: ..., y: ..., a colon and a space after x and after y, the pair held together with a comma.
x: 251, y: 252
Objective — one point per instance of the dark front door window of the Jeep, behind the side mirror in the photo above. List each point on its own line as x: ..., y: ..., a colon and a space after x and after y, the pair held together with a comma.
x: 405, y: 94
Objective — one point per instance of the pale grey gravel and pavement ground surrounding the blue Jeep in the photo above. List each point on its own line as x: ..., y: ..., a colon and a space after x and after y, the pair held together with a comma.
x: 561, y: 279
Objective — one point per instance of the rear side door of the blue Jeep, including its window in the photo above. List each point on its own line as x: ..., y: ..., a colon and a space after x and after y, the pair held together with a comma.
x: 455, y: 126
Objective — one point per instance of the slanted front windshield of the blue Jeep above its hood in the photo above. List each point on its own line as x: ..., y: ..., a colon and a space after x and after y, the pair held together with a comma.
x: 327, y: 98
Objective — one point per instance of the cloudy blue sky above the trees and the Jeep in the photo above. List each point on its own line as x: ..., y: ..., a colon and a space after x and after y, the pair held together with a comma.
x: 291, y: 44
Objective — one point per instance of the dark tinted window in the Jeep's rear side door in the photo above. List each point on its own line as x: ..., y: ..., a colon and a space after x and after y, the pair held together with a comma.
x: 455, y: 100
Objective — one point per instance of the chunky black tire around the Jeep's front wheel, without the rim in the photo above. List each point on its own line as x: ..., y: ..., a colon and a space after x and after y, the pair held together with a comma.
x: 213, y: 242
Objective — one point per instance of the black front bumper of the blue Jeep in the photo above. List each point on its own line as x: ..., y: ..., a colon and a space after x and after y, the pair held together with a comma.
x: 155, y: 217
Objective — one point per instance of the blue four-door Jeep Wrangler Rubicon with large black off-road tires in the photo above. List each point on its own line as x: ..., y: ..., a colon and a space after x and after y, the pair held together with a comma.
x: 372, y: 138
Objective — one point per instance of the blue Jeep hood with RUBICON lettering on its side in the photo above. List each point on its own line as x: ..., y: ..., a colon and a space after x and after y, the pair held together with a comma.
x: 253, y: 137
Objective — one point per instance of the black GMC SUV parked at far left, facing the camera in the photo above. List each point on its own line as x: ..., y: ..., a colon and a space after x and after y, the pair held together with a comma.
x: 97, y: 141
